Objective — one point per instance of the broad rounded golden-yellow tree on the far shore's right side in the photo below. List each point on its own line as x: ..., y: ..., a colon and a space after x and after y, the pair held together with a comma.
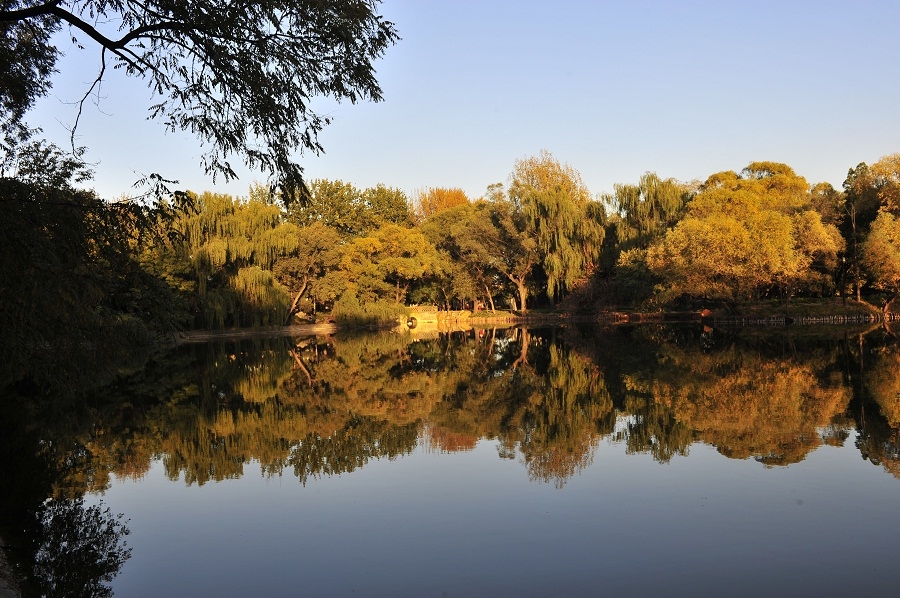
x: 745, y: 236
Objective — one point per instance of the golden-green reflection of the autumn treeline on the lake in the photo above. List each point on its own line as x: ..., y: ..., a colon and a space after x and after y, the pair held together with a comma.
x: 320, y: 407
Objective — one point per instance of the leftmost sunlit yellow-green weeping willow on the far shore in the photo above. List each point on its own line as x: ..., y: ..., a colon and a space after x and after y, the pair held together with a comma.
x: 231, y: 246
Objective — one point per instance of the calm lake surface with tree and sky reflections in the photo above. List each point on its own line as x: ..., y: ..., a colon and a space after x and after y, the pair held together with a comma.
x: 574, y: 461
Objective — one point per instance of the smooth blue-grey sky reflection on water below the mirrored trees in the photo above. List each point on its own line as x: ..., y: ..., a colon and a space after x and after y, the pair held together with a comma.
x: 471, y: 523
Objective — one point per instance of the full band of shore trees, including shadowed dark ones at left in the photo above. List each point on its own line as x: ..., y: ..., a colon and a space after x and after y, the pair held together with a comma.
x: 92, y: 272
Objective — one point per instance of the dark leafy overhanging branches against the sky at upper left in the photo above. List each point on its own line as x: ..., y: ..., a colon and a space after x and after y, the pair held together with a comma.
x: 239, y: 75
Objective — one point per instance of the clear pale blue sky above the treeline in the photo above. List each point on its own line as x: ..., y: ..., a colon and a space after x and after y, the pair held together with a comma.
x: 615, y: 89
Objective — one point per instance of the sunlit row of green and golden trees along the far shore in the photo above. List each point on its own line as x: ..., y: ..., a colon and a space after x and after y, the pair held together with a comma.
x: 541, y: 240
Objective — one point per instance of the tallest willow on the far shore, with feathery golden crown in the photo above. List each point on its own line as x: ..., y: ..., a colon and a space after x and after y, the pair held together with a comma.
x: 560, y: 215
